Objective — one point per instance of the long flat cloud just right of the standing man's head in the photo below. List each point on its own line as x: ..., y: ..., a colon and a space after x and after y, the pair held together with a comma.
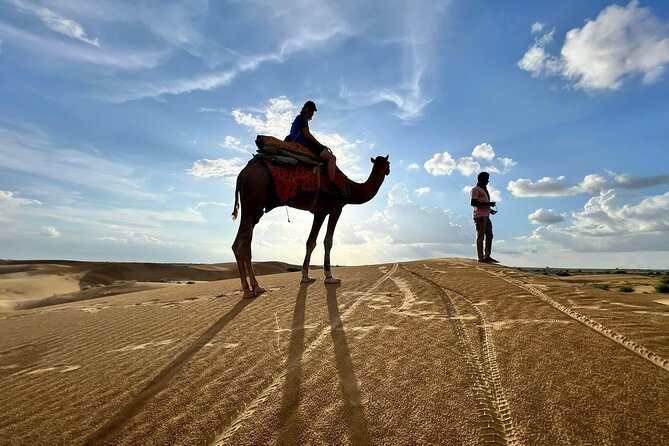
x: 556, y: 187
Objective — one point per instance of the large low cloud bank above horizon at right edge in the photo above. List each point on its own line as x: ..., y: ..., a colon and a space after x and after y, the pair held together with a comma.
x: 608, y: 223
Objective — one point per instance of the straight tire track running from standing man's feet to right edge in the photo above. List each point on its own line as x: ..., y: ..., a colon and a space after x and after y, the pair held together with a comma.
x: 616, y: 337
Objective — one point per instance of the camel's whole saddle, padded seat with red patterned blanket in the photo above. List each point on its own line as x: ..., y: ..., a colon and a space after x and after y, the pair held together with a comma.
x: 293, y: 181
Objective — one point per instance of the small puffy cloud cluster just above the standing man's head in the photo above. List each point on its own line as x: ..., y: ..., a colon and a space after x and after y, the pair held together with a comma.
x: 444, y: 164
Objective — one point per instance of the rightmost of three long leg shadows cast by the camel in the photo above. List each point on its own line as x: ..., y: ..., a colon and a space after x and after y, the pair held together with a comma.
x: 353, y: 409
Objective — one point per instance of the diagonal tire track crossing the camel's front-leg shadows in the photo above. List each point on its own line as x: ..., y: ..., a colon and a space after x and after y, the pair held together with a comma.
x: 276, y: 381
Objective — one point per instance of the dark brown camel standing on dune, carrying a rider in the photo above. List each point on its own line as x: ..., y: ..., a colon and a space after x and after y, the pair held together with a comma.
x: 252, y: 191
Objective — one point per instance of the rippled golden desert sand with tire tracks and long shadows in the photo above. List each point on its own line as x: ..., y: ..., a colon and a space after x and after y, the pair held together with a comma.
x: 439, y: 351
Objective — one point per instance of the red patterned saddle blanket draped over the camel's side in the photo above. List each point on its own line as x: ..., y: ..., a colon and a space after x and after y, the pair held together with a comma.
x: 294, y: 181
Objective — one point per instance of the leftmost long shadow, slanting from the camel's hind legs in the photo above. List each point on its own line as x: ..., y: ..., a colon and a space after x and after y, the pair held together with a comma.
x: 112, y: 428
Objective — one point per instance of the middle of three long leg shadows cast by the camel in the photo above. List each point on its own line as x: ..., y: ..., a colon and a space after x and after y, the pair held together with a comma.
x: 292, y: 391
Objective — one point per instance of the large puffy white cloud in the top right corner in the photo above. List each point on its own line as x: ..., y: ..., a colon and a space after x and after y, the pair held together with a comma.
x: 620, y: 43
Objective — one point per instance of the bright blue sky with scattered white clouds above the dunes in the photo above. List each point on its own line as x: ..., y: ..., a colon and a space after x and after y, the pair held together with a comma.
x: 124, y: 124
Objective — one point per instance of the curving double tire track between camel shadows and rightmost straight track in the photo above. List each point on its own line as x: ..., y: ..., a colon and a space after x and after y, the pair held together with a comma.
x: 496, y: 423
